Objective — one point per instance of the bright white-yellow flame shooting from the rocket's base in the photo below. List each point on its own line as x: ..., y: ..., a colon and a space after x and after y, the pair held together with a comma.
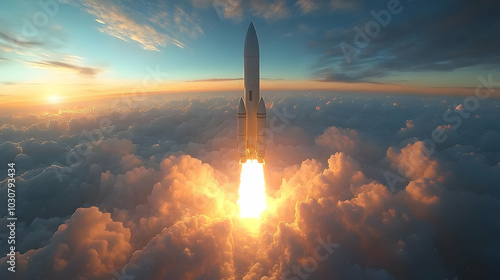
x: 252, y: 190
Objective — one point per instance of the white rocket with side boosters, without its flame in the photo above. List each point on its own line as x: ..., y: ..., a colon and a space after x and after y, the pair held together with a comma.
x: 251, y: 108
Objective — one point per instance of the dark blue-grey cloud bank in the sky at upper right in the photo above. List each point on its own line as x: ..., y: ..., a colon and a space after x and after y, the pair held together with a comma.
x: 423, y: 36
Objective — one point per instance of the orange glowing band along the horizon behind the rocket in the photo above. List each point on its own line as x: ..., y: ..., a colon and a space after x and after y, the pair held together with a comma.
x: 38, y: 94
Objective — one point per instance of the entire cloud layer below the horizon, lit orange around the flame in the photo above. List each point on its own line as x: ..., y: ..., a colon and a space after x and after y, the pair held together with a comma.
x: 141, y: 192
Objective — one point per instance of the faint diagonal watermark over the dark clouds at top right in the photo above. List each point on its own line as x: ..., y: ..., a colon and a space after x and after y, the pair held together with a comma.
x: 371, y: 29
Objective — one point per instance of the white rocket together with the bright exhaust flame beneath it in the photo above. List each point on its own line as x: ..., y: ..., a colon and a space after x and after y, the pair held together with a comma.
x: 251, y: 121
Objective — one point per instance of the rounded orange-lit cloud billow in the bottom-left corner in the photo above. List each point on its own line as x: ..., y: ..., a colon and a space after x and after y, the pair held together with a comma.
x: 89, y: 237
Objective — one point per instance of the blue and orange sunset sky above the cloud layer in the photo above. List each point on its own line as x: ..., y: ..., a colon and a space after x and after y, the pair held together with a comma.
x: 90, y: 48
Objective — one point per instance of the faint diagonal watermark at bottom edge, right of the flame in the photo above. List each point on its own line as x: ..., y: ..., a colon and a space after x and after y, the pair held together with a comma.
x: 310, y: 264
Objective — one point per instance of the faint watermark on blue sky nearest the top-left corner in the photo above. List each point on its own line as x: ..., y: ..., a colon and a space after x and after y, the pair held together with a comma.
x: 40, y: 19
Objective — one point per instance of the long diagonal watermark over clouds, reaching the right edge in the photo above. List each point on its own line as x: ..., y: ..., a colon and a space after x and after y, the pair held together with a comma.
x: 454, y: 119
